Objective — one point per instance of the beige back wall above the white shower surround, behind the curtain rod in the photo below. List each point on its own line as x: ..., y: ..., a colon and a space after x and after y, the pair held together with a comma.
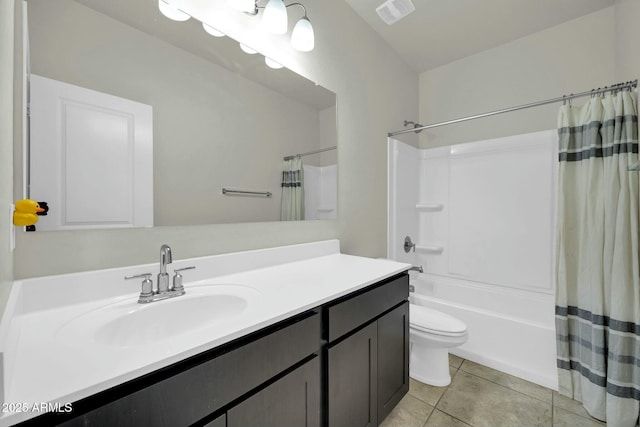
x: 573, y: 57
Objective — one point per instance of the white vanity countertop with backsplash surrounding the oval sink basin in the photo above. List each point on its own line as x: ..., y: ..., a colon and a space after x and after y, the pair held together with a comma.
x: 40, y: 367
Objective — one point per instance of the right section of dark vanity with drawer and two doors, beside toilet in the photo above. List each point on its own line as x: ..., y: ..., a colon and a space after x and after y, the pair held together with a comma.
x: 368, y: 355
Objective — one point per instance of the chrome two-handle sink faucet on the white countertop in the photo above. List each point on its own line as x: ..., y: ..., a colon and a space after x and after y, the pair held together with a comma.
x: 164, y: 290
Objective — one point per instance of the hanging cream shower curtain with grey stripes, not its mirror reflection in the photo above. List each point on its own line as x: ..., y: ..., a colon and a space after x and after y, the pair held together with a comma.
x: 598, y: 295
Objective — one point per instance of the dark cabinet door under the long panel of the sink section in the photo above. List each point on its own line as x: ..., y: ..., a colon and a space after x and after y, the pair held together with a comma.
x: 292, y: 401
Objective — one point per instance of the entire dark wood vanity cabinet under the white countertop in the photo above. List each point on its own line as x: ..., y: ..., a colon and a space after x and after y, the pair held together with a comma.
x: 344, y: 364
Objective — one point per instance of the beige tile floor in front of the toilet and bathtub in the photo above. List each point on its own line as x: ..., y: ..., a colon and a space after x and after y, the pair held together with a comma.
x: 483, y: 397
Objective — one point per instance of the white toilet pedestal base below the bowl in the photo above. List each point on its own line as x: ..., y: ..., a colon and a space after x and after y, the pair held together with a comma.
x: 430, y: 365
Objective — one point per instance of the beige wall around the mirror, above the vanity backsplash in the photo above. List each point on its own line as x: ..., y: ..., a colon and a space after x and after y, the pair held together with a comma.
x: 376, y: 91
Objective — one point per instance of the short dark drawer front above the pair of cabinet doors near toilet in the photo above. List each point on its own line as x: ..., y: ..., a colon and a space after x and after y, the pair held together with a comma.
x: 357, y: 310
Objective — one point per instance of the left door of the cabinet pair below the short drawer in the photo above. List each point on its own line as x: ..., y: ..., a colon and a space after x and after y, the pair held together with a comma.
x: 353, y: 380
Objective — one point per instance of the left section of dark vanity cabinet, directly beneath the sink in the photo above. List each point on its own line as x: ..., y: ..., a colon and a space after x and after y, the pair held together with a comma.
x: 250, y: 373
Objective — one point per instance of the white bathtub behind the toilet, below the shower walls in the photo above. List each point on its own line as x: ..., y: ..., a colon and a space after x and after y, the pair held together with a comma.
x: 511, y: 330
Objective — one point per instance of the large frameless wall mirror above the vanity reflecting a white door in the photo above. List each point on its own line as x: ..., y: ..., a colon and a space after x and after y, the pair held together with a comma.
x: 213, y: 117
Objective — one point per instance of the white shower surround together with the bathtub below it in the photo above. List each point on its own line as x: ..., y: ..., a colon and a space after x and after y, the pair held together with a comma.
x: 481, y: 216
